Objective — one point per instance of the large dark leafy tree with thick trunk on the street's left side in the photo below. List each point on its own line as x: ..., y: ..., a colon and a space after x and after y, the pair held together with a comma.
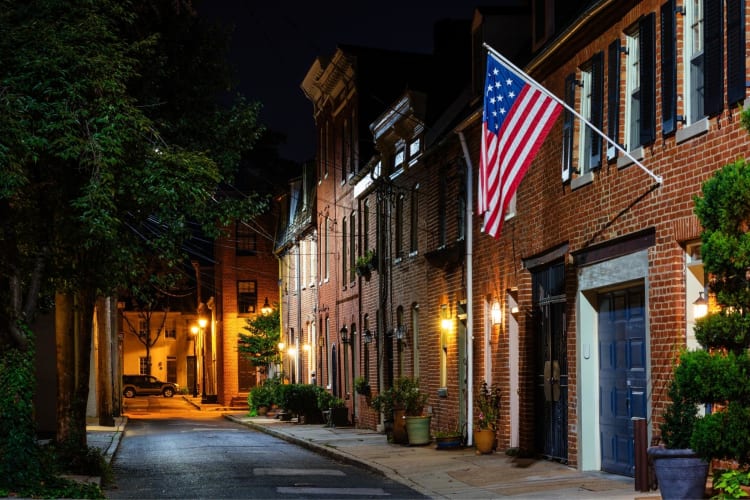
x: 107, y: 156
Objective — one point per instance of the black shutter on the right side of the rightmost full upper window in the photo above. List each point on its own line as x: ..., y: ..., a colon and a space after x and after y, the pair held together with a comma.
x: 713, y: 57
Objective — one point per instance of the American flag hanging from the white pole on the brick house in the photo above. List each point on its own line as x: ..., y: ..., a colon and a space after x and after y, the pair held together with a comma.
x: 517, y: 117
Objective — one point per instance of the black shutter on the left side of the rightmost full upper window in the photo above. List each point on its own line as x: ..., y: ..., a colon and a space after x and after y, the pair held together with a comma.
x: 668, y: 68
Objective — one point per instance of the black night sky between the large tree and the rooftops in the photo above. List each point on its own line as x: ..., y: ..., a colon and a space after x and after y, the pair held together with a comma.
x: 275, y: 42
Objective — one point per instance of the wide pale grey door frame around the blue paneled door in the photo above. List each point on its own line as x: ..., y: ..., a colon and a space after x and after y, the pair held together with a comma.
x: 626, y: 270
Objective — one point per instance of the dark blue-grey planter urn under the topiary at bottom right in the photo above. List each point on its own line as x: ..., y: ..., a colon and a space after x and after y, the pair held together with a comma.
x: 681, y: 473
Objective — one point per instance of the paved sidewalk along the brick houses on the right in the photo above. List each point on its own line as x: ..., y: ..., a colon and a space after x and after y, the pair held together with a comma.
x: 457, y: 473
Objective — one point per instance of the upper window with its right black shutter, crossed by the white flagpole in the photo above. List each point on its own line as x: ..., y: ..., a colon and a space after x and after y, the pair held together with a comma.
x: 589, y: 142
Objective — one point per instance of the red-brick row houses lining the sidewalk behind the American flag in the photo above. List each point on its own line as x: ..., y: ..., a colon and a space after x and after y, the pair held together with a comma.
x: 598, y: 263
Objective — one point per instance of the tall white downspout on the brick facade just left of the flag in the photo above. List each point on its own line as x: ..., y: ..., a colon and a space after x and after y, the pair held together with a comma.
x: 469, y: 294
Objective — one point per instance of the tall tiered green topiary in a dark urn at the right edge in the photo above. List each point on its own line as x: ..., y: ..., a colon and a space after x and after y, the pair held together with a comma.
x: 715, y: 377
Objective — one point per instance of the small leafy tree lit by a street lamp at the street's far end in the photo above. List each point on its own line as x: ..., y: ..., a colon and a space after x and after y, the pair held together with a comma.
x: 260, y: 345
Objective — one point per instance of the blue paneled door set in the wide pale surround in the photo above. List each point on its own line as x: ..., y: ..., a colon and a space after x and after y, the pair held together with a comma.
x: 622, y: 375
